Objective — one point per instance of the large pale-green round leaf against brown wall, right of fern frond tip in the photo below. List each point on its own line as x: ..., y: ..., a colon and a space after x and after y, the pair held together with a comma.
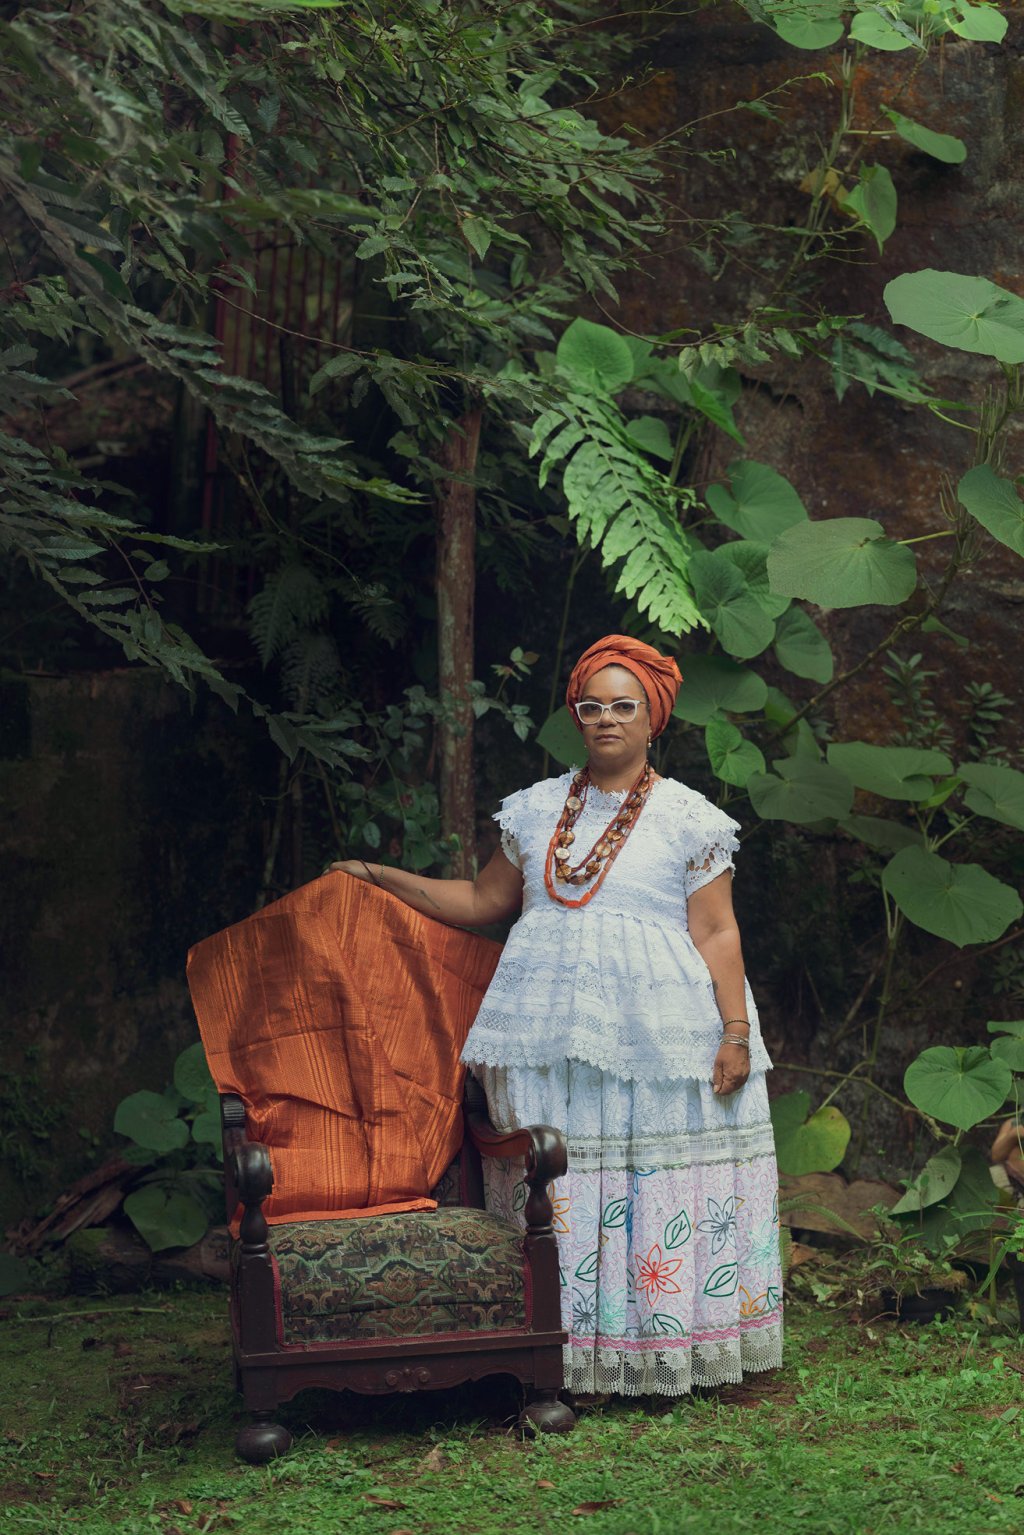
x: 847, y: 563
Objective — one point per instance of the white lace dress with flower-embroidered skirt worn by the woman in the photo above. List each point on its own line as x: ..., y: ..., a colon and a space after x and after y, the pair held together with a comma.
x: 603, y: 1022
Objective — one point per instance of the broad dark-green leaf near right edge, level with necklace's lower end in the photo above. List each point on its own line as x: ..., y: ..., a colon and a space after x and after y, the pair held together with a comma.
x: 957, y: 902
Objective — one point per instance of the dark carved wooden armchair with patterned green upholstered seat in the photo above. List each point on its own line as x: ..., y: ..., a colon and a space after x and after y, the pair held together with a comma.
x: 412, y: 1301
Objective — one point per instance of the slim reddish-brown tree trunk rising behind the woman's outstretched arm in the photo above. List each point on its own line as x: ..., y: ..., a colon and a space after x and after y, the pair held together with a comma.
x: 457, y: 583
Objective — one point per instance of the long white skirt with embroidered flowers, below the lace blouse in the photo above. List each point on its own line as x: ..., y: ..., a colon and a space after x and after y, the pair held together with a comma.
x: 667, y: 1226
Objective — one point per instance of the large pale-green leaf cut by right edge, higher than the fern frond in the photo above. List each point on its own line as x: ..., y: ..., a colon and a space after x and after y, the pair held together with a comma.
x: 963, y: 312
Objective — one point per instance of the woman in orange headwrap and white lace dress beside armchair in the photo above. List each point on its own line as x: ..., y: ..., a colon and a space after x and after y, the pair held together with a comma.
x: 619, y: 1012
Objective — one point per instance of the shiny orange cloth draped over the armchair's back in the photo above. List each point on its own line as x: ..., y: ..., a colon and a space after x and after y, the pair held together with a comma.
x: 339, y: 1015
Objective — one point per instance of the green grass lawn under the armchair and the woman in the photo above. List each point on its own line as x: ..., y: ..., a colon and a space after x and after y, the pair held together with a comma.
x: 119, y: 1418
